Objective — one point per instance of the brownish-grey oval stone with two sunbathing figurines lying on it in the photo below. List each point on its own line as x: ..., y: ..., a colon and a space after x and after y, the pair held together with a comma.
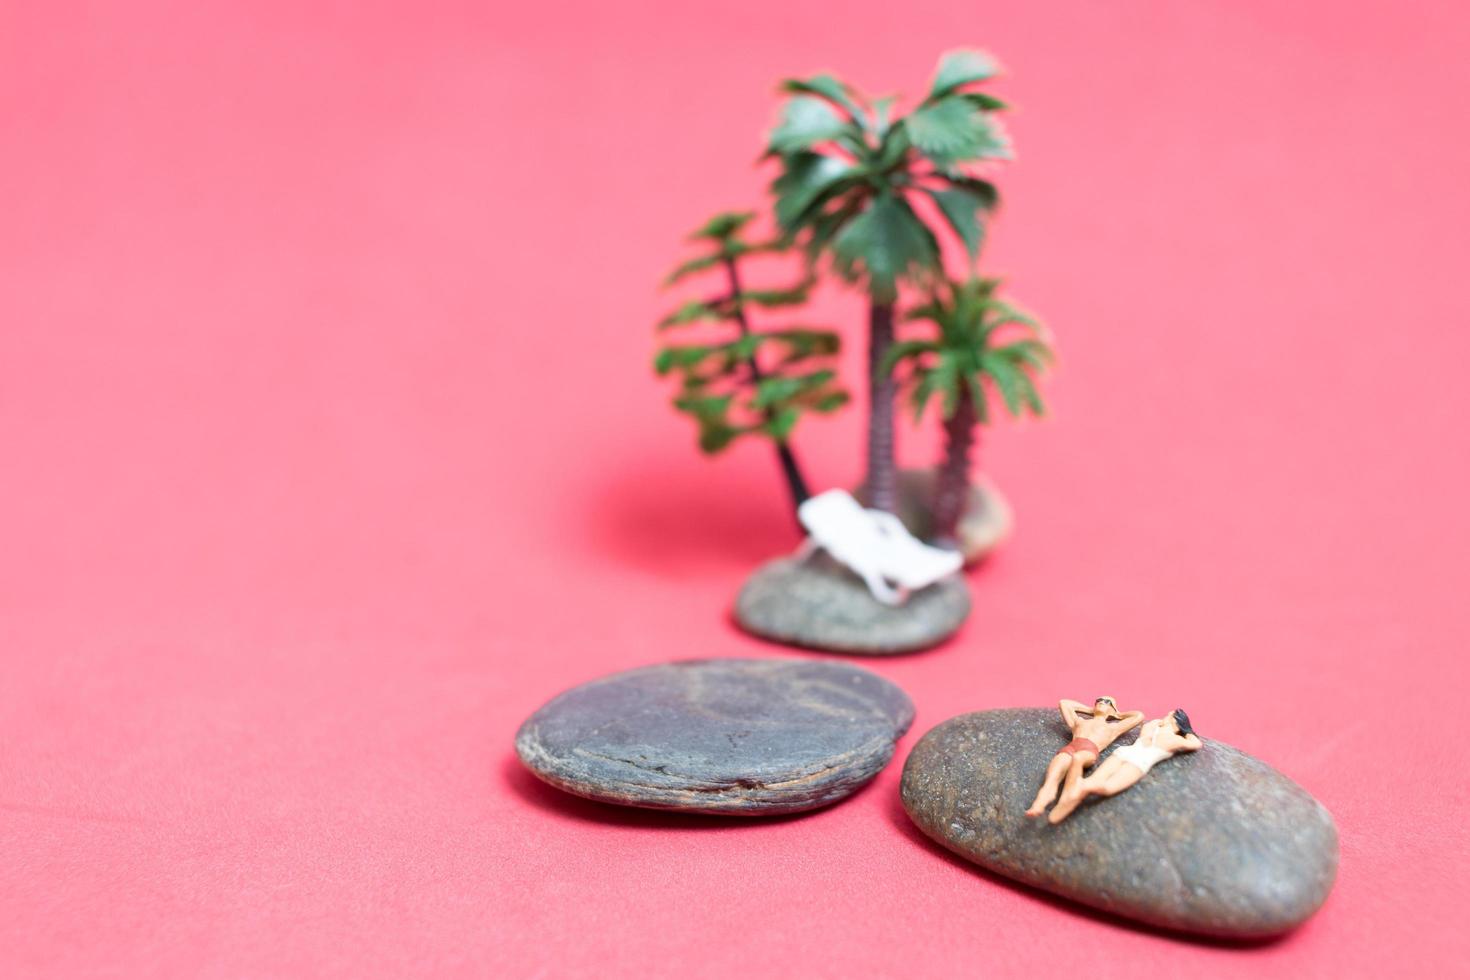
x: 1212, y: 843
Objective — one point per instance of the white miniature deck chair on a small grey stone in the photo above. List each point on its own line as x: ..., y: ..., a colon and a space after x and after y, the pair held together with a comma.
x: 875, y: 546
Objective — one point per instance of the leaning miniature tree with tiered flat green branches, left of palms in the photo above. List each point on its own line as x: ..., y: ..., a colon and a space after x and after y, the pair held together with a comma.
x: 753, y: 383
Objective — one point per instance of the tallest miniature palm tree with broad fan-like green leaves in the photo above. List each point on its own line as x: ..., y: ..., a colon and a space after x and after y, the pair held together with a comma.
x: 849, y: 177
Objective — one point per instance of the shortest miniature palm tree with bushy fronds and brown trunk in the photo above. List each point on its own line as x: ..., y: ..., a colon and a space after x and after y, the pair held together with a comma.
x: 980, y: 342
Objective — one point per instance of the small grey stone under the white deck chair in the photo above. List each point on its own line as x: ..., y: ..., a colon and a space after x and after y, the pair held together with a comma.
x: 818, y: 603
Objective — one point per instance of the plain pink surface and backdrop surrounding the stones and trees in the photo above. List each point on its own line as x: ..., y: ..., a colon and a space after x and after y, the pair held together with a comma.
x: 330, y: 452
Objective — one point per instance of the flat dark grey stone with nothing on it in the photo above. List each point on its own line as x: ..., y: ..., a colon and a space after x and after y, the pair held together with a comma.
x: 725, y: 737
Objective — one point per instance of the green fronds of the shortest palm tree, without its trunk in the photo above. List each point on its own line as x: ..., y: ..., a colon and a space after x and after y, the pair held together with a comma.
x: 981, y: 343
